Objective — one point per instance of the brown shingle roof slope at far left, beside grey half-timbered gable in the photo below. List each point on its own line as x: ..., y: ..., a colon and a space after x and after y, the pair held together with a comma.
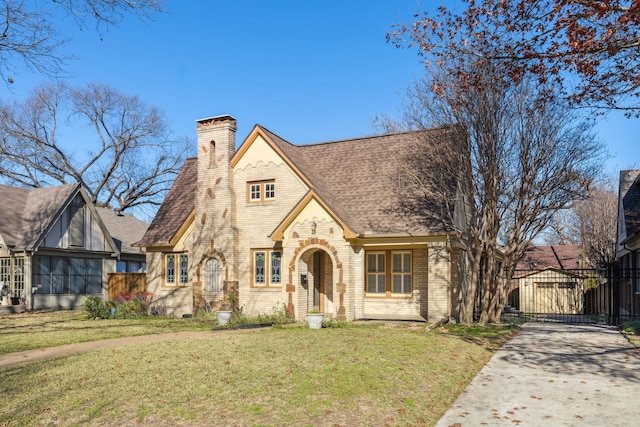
x: 25, y: 213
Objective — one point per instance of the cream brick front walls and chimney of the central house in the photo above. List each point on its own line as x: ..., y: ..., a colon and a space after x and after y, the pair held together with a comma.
x: 317, y: 249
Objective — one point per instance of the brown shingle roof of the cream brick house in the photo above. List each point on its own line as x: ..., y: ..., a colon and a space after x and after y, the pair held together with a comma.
x: 352, y: 176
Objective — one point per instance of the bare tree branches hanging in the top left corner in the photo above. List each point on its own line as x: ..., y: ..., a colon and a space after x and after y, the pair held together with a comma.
x: 29, y: 34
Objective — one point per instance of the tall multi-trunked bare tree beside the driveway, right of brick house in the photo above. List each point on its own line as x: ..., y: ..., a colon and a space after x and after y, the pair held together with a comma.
x: 524, y: 157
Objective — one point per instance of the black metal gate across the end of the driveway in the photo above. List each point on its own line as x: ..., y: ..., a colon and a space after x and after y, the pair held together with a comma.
x: 555, y: 295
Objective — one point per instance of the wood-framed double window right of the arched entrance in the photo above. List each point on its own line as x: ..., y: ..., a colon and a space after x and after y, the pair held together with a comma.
x: 389, y: 273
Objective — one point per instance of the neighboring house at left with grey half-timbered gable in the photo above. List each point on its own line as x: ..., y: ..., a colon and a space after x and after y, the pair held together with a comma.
x: 55, y: 249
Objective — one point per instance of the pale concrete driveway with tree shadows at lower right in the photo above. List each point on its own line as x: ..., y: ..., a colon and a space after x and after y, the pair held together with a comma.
x: 554, y: 374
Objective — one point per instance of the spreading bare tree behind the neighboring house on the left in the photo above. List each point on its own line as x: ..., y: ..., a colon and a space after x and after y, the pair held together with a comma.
x: 130, y: 160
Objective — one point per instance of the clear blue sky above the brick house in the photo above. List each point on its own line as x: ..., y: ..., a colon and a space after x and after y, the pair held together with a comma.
x: 310, y: 71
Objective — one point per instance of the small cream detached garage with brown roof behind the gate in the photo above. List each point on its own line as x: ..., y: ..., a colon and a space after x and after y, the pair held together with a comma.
x: 548, y: 280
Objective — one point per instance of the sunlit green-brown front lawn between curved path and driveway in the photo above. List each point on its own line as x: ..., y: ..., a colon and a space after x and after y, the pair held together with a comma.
x: 349, y: 375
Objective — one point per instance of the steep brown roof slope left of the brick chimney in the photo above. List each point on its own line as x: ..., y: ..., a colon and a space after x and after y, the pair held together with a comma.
x: 176, y: 208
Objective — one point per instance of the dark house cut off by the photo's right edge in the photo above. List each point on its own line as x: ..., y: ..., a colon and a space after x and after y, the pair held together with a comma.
x: 628, y: 243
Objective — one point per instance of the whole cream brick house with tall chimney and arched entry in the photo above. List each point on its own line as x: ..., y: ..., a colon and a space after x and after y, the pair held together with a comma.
x: 302, y: 227
